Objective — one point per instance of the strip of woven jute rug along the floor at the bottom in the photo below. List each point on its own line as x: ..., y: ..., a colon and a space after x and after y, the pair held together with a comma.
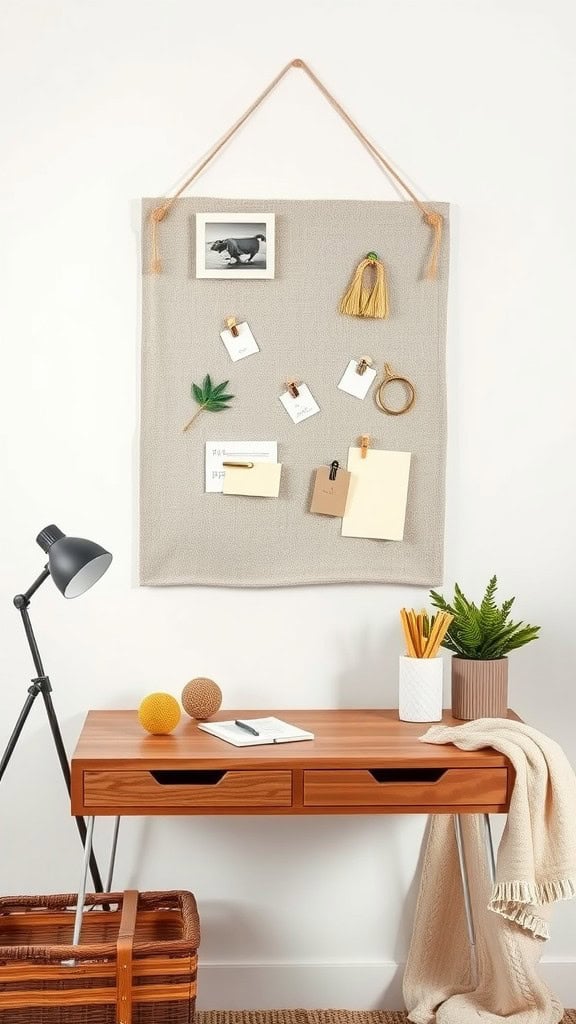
x: 315, y: 1017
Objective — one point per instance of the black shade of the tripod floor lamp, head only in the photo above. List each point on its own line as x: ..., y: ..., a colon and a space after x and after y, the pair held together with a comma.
x: 75, y: 565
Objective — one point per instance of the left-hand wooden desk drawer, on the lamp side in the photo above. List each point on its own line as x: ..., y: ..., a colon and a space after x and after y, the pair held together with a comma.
x: 188, y: 789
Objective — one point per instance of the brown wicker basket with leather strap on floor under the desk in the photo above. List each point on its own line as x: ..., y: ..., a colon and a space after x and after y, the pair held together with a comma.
x: 137, y: 963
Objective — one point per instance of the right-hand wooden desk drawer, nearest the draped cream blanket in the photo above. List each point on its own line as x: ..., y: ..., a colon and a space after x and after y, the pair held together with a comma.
x: 405, y: 787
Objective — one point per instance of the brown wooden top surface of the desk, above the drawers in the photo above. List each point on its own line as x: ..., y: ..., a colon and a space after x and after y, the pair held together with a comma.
x: 355, y: 739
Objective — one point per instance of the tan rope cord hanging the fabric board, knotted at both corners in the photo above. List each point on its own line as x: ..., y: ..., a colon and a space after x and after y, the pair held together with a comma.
x: 432, y: 218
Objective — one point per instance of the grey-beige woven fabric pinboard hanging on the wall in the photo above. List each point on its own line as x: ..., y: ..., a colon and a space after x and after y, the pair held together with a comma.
x: 190, y: 537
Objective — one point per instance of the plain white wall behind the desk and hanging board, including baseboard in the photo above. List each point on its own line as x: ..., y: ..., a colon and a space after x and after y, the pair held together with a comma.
x: 104, y: 103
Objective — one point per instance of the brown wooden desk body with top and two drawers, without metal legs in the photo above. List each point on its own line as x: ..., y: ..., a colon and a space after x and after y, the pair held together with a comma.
x: 361, y: 762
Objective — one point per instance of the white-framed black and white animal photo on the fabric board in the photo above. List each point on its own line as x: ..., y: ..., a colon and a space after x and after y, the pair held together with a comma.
x: 236, y: 248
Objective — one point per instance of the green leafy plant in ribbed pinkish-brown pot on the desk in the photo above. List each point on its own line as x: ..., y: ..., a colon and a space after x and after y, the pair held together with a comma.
x: 481, y: 637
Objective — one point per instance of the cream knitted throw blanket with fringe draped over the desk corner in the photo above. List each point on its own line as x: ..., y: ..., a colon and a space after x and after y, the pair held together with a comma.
x: 537, y: 866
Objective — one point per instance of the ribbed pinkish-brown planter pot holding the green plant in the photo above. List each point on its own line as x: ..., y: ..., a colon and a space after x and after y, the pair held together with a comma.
x: 480, y: 690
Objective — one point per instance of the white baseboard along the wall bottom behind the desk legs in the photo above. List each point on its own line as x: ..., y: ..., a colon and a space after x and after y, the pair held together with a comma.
x: 323, y: 987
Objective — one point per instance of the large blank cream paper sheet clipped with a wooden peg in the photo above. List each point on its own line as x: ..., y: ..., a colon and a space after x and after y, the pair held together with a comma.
x: 378, y: 495
